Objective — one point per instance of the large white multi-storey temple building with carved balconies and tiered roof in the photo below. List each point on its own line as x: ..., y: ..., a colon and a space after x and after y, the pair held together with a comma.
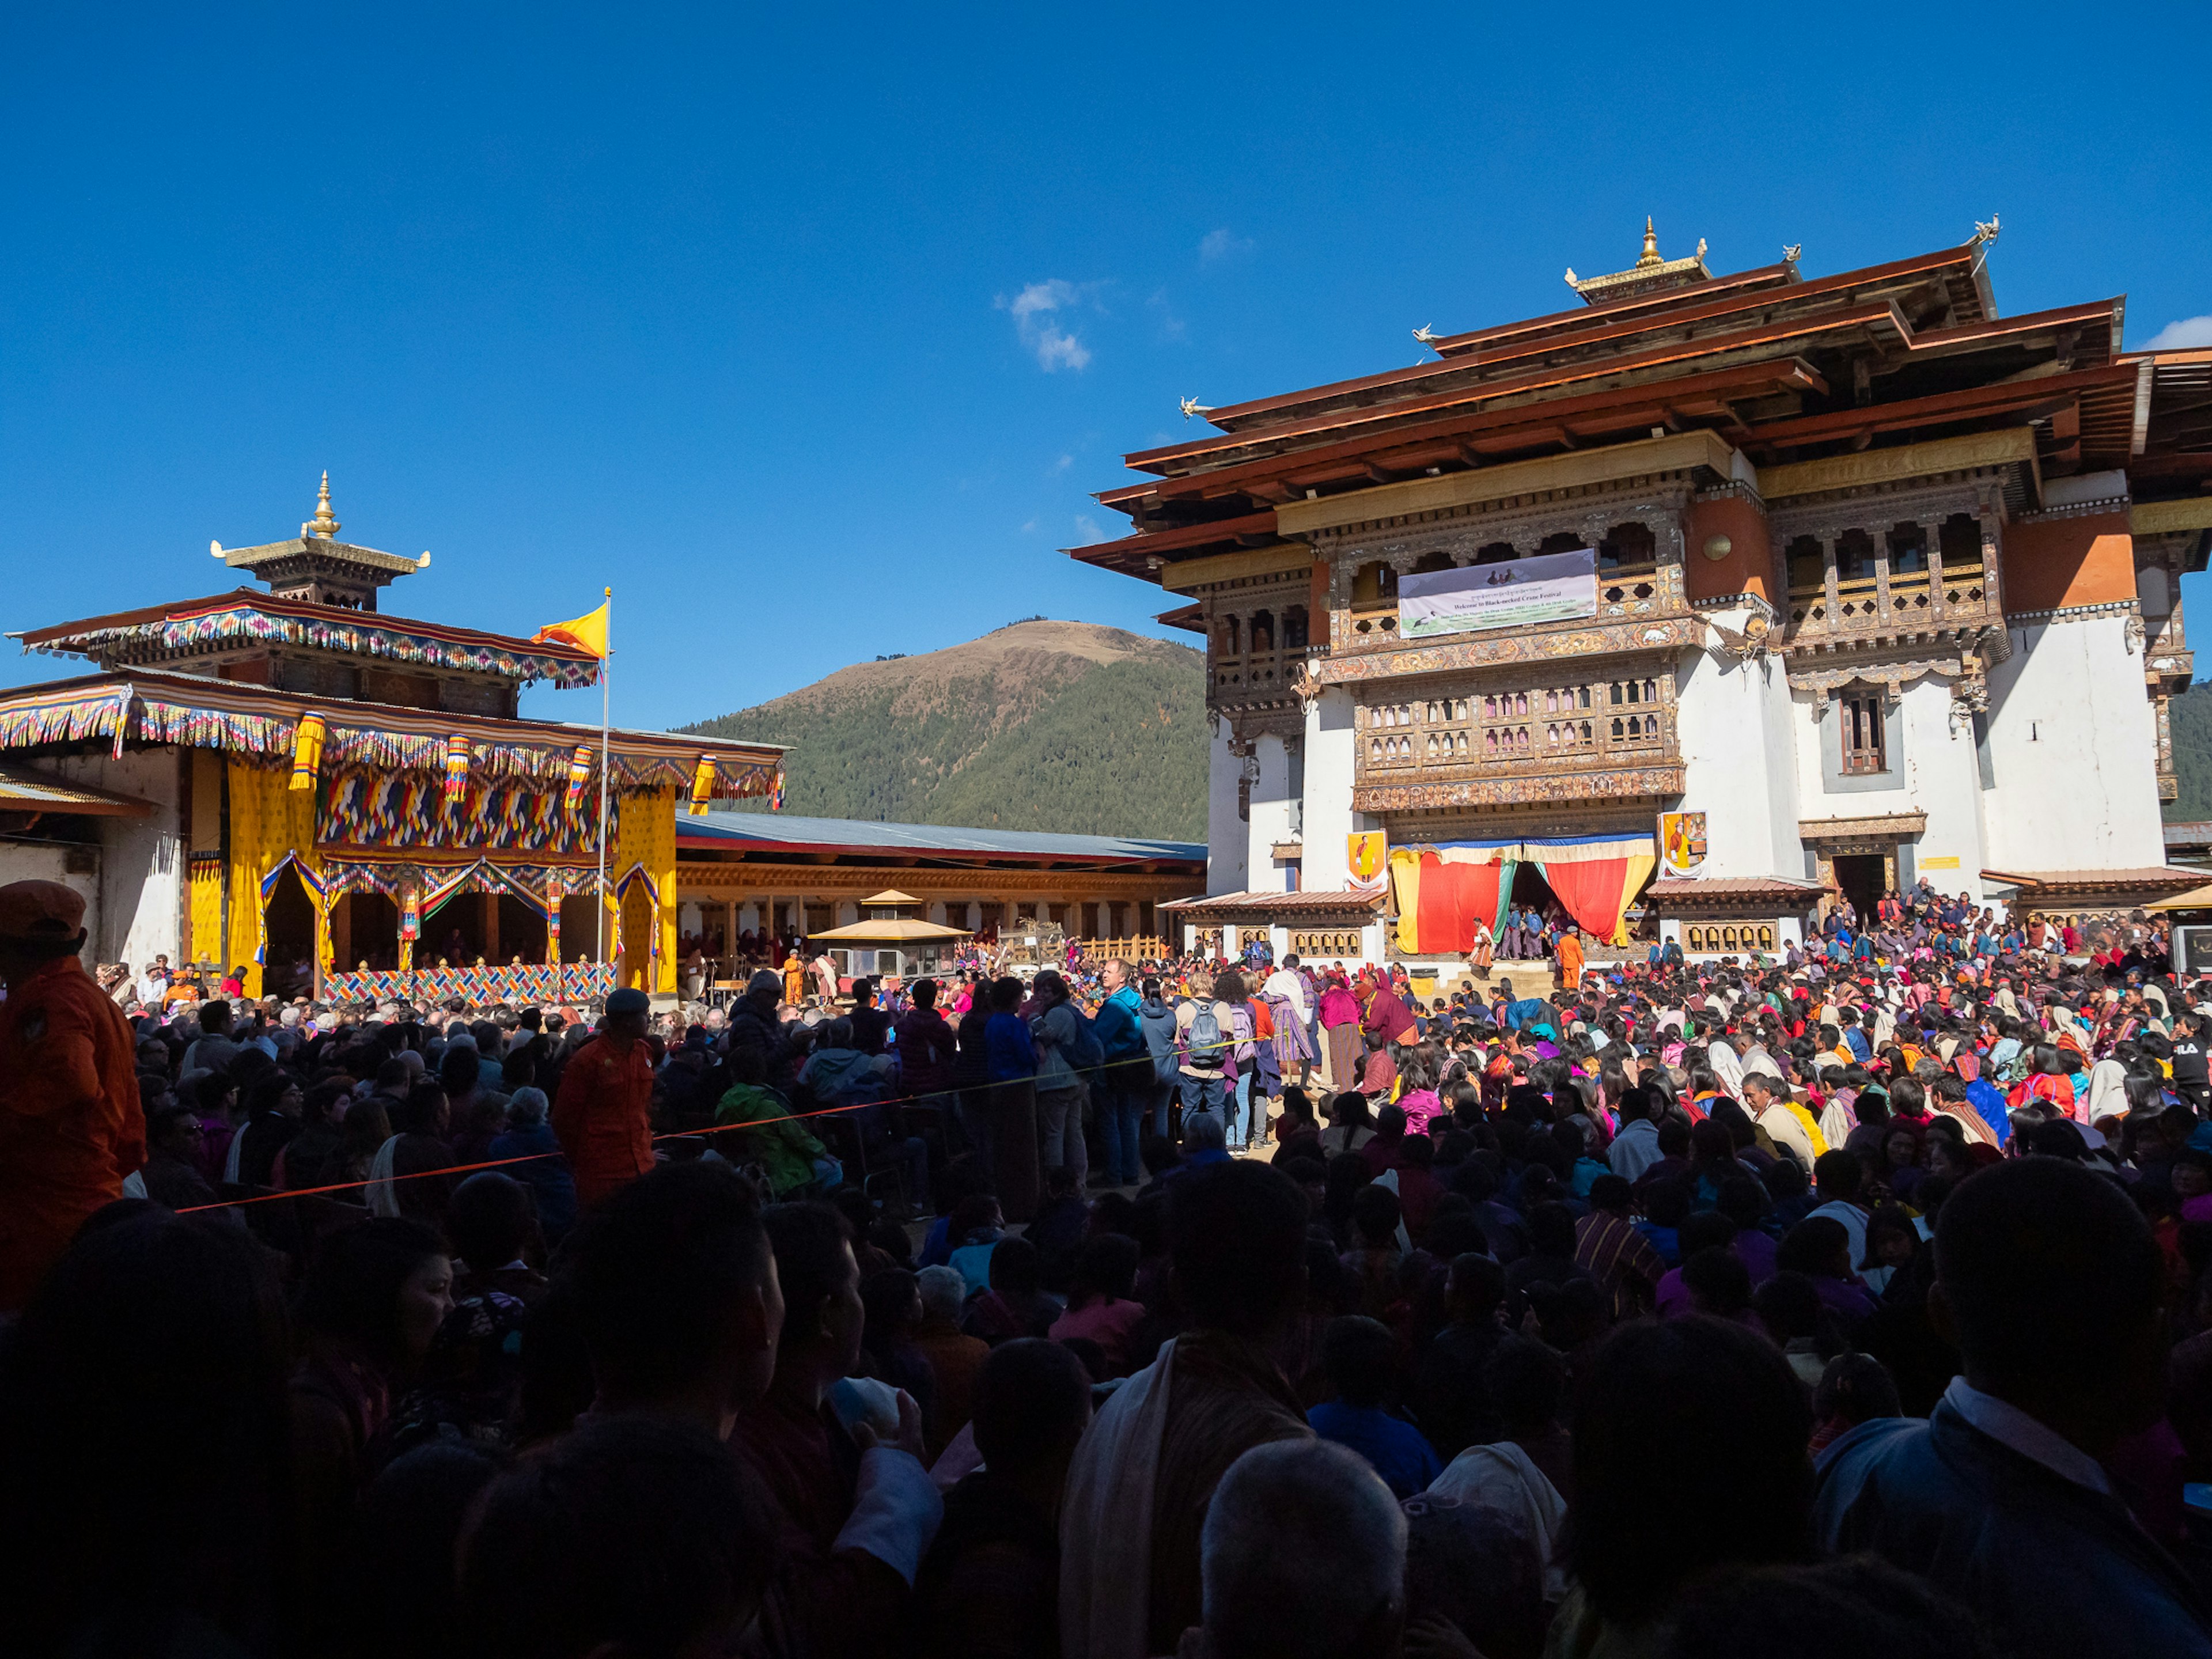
x: 1693, y: 607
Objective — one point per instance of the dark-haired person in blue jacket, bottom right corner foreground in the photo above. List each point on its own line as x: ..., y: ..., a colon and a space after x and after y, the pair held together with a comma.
x: 2052, y: 1286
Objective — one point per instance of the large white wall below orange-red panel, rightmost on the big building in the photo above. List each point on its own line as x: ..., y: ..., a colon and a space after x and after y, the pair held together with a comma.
x: 2076, y: 753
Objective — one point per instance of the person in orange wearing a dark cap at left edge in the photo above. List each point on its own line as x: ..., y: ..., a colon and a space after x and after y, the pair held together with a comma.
x: 72, y: 1129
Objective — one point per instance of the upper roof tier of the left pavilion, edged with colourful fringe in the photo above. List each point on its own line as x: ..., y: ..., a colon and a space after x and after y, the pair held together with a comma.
x: 182, y: 627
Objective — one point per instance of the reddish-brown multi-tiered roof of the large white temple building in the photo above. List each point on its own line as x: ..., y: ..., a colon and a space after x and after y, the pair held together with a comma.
x: 1780, y: 366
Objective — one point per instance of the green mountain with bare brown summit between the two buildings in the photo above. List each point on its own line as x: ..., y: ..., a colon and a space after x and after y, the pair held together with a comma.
x: 1036, y: 727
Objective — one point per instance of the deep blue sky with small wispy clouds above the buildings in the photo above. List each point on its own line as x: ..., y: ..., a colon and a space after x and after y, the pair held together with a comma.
x: 813, y: 328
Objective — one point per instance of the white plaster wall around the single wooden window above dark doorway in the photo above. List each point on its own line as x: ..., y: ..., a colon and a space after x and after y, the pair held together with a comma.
x: 1934, y: 771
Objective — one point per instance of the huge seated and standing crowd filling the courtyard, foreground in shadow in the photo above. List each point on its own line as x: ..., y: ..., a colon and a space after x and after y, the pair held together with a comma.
x: 1846, y: 1302
